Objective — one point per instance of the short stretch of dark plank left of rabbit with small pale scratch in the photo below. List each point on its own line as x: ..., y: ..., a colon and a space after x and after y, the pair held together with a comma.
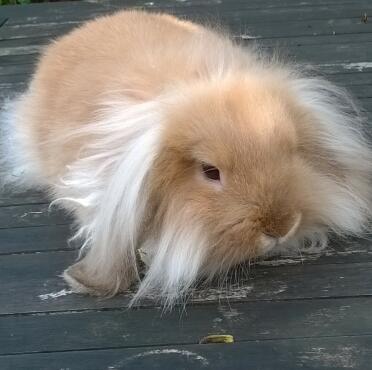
x: 31, y: 215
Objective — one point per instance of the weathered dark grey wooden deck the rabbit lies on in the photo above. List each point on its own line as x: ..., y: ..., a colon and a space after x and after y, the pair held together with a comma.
x: 287, y: 314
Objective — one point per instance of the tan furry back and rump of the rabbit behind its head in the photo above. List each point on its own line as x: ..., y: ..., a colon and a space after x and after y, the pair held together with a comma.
x: 131, y: 56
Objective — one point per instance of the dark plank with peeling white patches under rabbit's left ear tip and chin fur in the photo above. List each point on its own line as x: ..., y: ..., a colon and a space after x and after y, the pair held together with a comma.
x: 28, y: 277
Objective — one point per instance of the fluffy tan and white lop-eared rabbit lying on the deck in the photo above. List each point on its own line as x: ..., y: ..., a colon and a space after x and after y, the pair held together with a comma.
x: 166, y: 137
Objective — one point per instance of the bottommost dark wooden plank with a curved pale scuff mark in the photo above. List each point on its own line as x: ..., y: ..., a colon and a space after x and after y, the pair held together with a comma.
x: 305, y: 353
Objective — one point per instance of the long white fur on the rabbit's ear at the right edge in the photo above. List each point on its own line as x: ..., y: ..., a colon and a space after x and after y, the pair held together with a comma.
x: 340, y: 132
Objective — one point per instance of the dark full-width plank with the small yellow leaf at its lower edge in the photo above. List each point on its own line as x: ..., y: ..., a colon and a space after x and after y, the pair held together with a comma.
x: 134, y: 328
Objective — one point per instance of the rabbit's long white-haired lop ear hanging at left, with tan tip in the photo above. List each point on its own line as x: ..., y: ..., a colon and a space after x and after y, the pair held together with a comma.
x: 112, y: 215
